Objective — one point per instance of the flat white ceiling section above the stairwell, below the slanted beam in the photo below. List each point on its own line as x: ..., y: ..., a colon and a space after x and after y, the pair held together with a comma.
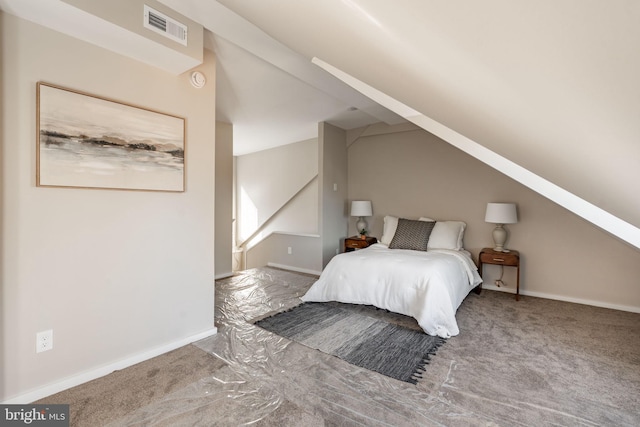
x: 270, y: 107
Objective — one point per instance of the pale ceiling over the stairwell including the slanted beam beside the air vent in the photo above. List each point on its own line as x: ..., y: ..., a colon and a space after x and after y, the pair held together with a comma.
x: 271, y: 94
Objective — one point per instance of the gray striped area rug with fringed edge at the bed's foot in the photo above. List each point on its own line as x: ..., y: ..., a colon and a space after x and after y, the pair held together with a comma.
x: 386, y: 348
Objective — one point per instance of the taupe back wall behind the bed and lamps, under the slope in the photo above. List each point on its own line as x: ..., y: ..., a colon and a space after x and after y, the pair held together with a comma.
x: 413, y: 174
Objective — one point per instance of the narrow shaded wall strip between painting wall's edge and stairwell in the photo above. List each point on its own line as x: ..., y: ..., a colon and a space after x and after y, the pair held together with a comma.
x: 224, y: 199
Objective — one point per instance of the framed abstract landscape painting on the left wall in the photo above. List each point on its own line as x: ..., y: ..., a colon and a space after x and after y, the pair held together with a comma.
x: 92, y: 142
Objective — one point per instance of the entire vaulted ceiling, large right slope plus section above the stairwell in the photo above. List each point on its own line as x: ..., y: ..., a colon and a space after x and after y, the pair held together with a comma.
x: 545, y: 91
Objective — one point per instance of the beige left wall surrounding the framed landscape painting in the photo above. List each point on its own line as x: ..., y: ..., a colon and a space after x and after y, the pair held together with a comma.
x: 115, y: 274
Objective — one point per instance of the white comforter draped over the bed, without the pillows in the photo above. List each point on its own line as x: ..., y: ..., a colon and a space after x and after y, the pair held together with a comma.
x: 428, y: 286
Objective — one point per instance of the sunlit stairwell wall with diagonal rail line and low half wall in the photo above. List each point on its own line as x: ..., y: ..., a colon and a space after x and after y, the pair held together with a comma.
x: 277, y: 194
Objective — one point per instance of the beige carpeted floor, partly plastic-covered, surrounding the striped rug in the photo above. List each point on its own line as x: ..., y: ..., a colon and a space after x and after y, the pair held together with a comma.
x: 528, y: 363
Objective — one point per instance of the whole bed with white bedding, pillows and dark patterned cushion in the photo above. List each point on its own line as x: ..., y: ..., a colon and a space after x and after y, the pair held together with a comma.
x: 427, y: 281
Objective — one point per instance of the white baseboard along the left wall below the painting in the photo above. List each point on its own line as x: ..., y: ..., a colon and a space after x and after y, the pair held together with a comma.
x: 101, y: 371
